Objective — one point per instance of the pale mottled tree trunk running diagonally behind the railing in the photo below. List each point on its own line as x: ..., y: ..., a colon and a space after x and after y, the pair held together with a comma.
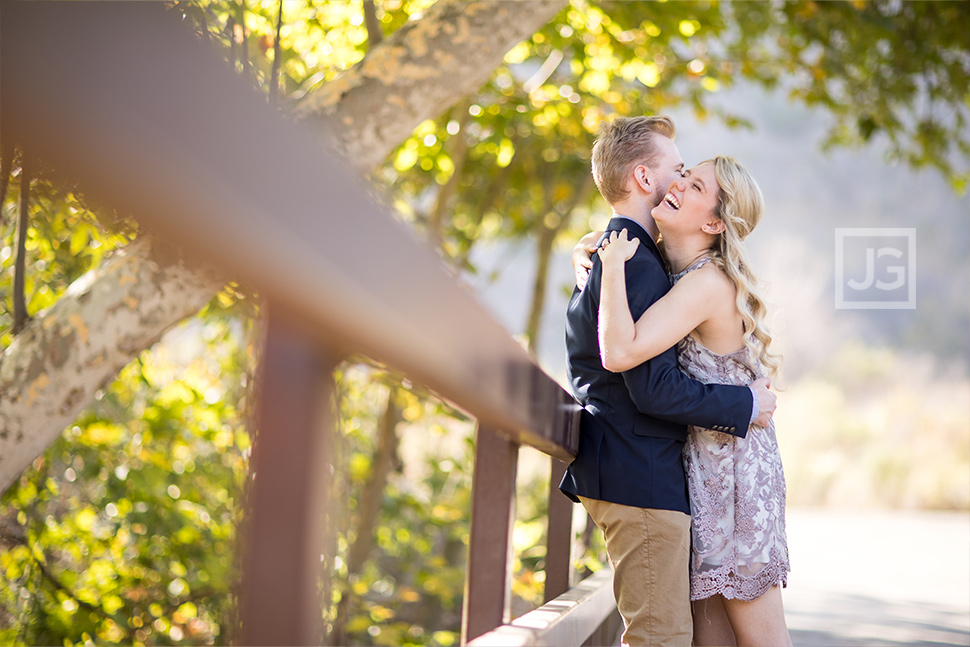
x: 53, y: 368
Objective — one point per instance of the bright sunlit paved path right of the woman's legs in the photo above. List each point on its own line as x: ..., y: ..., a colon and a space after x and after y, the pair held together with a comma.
x: 878, y: 578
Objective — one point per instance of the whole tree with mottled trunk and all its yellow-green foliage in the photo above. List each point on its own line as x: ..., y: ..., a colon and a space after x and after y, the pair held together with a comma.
x: 466, y: 153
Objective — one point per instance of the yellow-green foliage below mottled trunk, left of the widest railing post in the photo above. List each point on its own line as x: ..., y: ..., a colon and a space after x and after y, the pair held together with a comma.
x: 124, y: 532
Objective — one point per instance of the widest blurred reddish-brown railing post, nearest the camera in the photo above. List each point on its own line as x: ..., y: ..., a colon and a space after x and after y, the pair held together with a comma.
x: 288, y: 497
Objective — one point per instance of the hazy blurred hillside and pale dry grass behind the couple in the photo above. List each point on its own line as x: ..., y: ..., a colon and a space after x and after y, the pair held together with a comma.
x: 874, y: 404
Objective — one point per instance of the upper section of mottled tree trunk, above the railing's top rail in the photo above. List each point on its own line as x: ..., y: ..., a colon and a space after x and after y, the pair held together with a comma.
x: 418, y: 72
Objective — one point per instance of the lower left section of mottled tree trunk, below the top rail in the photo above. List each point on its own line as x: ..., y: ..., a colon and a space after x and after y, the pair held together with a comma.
x: 55, y: 365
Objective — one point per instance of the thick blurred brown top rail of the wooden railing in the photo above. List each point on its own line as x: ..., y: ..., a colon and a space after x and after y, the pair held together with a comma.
x: 158, y: 127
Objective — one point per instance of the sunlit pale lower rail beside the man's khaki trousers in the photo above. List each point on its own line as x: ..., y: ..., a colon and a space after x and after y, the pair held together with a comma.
x: 569, y: 619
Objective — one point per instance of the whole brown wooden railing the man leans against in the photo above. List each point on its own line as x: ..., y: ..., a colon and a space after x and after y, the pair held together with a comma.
x: 127, y: 103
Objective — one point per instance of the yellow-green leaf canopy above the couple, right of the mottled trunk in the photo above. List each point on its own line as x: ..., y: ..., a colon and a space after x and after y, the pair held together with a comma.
x: 522, y: 156
